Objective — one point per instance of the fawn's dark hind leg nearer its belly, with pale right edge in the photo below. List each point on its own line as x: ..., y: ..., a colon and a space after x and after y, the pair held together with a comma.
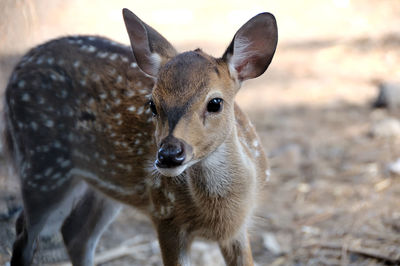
x: 84, y: 226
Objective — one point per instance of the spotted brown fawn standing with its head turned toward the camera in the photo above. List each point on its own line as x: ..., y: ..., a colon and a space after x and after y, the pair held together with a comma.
x: 90, y: 125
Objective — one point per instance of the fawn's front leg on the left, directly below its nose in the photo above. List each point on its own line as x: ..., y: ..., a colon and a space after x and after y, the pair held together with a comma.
x: 174, y: 244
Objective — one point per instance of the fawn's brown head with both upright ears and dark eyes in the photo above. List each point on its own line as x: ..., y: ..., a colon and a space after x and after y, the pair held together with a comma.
x: 193, y: 96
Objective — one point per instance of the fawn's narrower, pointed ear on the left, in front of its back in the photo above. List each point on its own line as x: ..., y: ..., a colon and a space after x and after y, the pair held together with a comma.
x: 150, y: 48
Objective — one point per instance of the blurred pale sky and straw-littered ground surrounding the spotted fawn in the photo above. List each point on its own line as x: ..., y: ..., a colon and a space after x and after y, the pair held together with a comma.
x: 334, y: 194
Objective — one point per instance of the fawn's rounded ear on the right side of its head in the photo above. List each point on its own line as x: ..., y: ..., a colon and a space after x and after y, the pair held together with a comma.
x: 253, y: 47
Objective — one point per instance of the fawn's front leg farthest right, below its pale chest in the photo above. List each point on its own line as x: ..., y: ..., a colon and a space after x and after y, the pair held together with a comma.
x: 237, y: 251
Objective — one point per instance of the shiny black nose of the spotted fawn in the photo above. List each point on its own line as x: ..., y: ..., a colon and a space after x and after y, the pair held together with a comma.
x: 171, y: 153
